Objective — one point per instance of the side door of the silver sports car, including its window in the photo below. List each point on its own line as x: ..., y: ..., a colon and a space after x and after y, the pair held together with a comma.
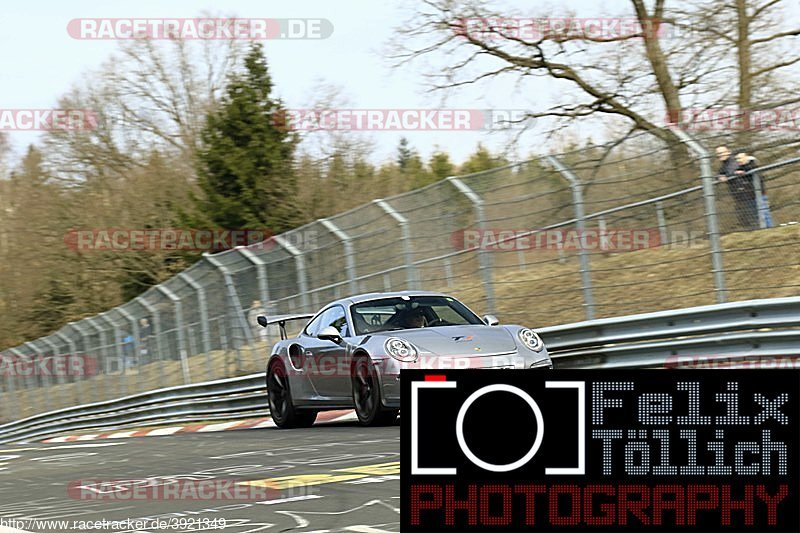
x: 330, y: 373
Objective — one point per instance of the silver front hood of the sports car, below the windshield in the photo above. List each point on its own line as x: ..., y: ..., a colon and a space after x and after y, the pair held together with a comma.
x: 459, y: 340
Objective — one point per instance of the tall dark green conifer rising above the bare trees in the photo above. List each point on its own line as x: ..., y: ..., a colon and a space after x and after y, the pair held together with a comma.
x: 247, y: 155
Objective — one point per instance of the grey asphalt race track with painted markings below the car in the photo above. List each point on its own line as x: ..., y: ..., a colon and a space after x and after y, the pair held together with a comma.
x: 334, y: 477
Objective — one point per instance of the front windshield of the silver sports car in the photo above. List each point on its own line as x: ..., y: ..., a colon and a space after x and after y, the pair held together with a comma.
x: 398, y: 313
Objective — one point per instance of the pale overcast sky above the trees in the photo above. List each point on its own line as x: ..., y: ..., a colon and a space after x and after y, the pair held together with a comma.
x: 40, y: 60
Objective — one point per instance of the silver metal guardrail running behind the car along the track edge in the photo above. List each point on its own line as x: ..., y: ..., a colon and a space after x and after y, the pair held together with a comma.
x: 732, y: 331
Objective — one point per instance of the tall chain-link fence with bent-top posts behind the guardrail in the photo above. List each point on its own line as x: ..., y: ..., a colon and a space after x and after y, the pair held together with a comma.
x: 640, y: 225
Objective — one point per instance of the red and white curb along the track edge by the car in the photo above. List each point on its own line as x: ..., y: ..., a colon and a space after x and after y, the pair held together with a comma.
x: 255, y: 423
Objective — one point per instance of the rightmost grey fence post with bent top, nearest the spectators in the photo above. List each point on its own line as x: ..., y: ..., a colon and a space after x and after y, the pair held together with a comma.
x: 710, y: 200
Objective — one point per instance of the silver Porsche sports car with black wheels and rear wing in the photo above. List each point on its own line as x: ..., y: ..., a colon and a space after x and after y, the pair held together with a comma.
x: 350, y: 354
